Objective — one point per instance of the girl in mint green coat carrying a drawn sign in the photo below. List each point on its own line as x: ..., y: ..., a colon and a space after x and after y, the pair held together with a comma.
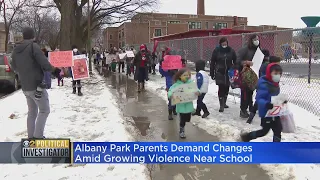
x: 184, y: 109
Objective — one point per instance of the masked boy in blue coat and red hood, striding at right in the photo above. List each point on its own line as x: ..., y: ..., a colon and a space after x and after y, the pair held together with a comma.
x: 268, y: 86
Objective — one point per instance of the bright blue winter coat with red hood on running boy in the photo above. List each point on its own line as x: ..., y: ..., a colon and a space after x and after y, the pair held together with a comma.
x: 265, y: 90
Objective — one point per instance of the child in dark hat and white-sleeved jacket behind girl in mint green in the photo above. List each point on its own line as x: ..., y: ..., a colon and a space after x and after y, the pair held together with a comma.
x: 202, y: 80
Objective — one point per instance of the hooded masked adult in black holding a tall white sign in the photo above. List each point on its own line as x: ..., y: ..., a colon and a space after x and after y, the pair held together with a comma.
x: 244, y: 60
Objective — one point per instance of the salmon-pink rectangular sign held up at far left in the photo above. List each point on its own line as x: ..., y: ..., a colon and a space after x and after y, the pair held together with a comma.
x: 61, y: 58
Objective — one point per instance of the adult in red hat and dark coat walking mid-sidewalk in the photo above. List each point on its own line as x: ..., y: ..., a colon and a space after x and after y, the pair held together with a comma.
x: 141, y: 61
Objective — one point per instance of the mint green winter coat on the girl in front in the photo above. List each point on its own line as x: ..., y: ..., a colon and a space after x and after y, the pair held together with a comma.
x: 181, y: 107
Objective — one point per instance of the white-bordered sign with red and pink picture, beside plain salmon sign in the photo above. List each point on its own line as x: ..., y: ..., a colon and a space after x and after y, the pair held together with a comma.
x: 80, y: 69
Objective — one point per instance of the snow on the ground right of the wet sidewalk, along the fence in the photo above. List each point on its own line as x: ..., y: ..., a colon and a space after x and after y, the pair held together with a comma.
x: 228, y: 125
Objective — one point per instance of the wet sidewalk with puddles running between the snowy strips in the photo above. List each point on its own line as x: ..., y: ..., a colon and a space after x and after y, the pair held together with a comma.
x: 149, y: 113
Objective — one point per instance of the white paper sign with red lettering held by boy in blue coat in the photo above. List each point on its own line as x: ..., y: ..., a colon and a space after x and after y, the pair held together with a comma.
x: 279, y: 107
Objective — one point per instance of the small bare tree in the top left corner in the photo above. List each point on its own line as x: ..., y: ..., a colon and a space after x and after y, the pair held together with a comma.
x: 12, y: 9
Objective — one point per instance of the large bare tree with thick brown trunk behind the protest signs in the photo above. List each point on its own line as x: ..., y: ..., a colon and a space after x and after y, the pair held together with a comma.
x: 74, y: 16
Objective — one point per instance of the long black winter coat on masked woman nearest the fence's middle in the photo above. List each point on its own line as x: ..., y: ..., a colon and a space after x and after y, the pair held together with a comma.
x: 221, y: 61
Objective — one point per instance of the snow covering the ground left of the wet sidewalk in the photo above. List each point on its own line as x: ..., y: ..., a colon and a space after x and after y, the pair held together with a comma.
x: 92, y: 117
